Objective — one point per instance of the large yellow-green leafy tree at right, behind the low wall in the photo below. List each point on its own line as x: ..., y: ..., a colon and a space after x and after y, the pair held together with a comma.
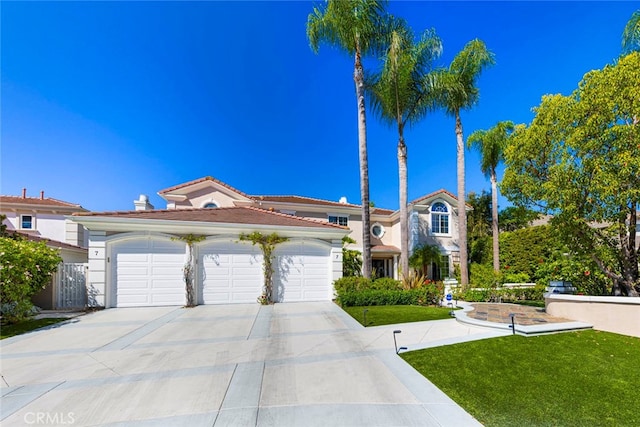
x: 579, y: 160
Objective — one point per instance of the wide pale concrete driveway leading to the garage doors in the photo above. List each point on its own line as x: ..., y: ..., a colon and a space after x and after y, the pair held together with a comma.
x: 305, y: 364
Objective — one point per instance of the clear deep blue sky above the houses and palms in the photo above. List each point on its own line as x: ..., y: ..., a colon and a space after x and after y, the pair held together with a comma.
x: 103, y: 101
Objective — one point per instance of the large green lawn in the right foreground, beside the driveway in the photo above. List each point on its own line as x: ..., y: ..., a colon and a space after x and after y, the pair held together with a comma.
x: 585, y: 378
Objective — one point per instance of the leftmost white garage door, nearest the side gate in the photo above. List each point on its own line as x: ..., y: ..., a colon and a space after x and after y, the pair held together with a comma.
x: 148, y: 272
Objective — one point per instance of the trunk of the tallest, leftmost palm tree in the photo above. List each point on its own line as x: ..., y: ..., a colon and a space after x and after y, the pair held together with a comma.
x: 358, y: 77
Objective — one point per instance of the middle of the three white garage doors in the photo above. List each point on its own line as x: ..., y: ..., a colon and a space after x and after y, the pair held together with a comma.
x: 230, y: 272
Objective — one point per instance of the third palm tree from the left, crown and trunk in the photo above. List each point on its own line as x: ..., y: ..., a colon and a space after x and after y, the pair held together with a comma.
x: 458, y: 91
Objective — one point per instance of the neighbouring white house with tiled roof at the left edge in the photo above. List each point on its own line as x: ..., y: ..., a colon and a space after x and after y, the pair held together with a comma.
x: 44, y: 219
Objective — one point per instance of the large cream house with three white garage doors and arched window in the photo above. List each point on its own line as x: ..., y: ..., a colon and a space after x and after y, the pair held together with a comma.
x: 136, y: 257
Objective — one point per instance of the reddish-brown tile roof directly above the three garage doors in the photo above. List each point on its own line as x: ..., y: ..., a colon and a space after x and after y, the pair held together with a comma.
x: 231, y: 215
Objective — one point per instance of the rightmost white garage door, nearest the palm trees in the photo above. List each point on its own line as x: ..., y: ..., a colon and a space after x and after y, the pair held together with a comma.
x: 302, y: 273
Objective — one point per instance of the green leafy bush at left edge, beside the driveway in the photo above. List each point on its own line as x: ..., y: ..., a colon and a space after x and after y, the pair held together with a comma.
x: 25, y: 268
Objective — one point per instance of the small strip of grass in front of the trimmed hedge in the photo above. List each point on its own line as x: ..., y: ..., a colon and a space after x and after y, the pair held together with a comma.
x: 391, y: 314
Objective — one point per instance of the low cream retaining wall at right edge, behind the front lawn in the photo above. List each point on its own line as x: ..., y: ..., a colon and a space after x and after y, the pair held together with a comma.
x: 620, y: 315
